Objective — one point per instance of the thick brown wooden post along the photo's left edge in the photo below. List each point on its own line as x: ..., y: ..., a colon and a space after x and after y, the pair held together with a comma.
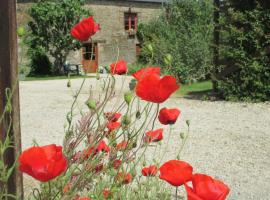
x: 8, y: 79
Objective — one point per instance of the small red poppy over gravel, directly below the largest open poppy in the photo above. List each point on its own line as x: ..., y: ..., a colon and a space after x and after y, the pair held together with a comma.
x: 168, y: 116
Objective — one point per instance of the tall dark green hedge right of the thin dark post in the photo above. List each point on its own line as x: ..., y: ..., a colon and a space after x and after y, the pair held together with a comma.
x: 245, y: 50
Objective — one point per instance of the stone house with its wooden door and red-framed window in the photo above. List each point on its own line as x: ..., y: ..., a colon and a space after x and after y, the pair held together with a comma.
x: 117, y: 38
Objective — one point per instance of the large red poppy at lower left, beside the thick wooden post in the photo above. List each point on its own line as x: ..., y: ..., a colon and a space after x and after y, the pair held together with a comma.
x: 43, y: 163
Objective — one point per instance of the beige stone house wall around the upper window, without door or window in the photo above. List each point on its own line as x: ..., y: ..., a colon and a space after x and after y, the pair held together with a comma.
x: 110, y: 16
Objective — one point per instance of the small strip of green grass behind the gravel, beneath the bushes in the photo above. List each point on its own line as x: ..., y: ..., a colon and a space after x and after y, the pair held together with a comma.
x: 199, y: 87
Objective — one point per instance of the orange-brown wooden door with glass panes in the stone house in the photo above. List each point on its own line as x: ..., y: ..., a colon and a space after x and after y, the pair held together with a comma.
x: 90, y: 57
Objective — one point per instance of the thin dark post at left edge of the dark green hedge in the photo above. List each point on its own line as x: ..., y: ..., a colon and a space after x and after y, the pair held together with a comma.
x: 216, y: 42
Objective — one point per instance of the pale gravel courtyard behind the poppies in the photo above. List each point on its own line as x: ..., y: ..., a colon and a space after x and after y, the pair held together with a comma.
x: 230, y: 141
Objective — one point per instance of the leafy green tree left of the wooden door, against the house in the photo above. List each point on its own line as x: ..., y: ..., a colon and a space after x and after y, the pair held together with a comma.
x: 50, y: 31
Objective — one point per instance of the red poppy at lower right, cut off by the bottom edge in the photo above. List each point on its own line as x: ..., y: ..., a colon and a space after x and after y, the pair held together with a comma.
x: 206, y: 188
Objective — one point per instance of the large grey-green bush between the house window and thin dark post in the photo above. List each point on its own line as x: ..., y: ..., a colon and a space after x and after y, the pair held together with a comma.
x: 185, y: 31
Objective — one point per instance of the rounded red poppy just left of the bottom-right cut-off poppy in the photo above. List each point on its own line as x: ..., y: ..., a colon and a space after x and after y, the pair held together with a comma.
x: 176, y: 172
